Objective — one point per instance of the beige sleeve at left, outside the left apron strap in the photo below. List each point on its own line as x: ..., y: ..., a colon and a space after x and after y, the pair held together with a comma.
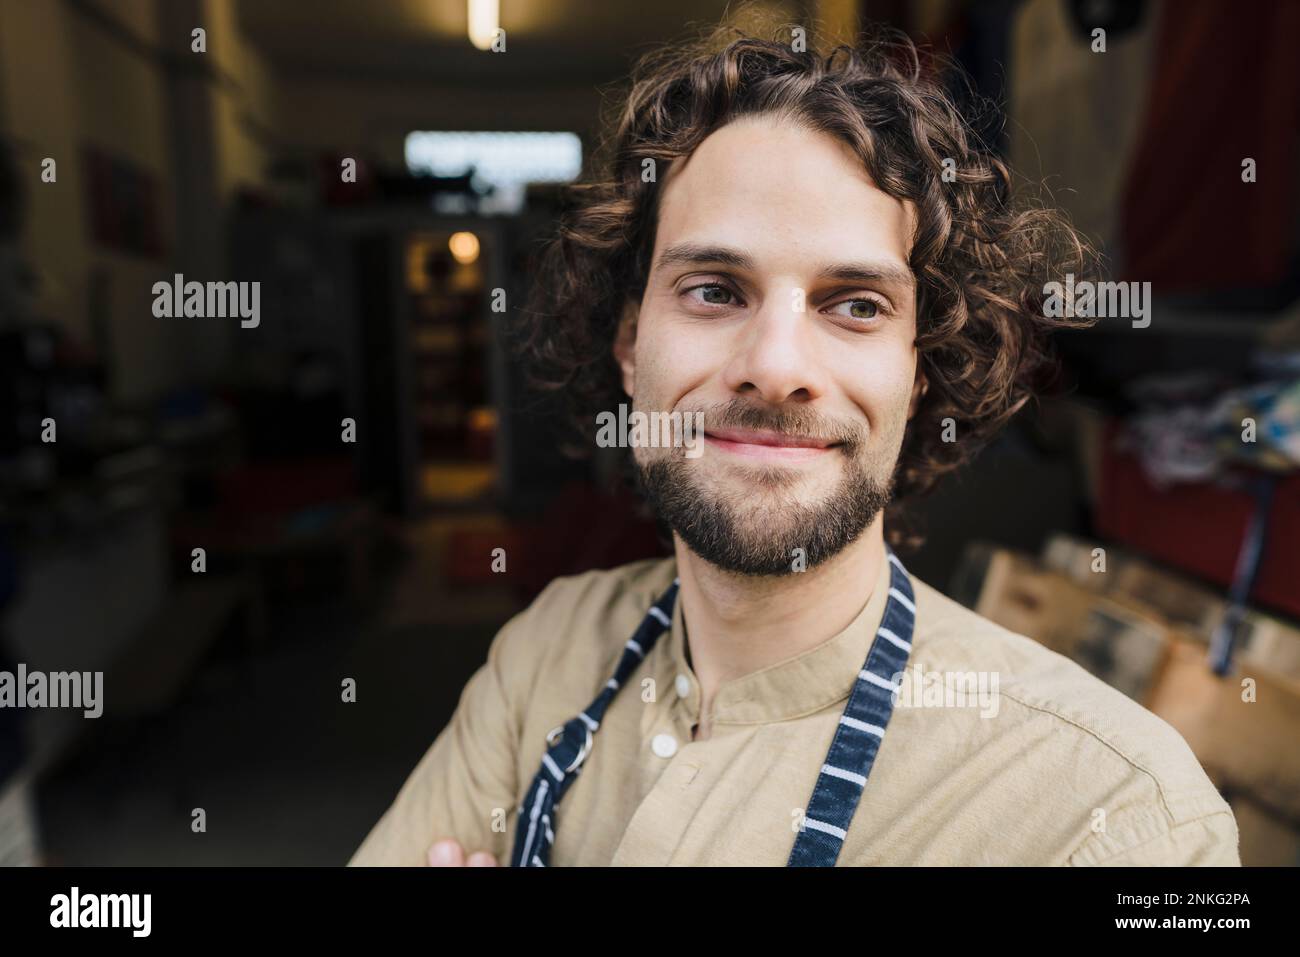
x: 465, y: 787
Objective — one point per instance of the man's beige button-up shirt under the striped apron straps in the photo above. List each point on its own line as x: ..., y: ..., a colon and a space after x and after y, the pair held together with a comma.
x: 1055, y: 769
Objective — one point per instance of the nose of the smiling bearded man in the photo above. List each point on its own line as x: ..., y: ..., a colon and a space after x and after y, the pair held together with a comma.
x: 775, y: 358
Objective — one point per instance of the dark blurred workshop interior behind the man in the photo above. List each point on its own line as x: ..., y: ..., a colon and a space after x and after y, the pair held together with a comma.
x: 1129, y: 522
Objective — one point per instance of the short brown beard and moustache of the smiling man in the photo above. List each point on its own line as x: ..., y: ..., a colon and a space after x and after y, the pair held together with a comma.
x: 757, y: 531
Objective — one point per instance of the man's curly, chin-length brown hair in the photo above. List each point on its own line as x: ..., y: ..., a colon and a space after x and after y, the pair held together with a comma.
x: 981, y: 261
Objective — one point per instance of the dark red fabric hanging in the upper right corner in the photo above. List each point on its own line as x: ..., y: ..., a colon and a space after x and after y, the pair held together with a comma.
x: 1225, y: 86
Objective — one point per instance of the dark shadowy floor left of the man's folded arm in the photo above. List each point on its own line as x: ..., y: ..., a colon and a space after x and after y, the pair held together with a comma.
x: 287, y: 772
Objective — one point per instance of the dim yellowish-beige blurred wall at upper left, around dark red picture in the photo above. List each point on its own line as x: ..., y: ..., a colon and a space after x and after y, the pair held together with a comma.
x: 114, y: 76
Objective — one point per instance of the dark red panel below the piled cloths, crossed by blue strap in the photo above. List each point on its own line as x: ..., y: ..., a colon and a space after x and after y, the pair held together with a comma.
x: 1199, y: 529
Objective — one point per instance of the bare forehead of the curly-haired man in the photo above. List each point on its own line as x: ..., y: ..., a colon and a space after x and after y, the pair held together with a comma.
x: 786, y: 194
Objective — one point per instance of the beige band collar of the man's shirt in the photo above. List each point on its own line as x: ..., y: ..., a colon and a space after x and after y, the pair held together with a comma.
x: 801, y: 685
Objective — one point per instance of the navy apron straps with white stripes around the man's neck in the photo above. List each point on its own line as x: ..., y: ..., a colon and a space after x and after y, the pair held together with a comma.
x: 839, y: 785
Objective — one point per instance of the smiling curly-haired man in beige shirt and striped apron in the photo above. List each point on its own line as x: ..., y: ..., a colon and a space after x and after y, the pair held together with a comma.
x: 775, y: 245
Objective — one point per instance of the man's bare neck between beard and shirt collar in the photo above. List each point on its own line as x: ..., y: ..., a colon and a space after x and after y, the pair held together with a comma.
x: 739, y: 625
